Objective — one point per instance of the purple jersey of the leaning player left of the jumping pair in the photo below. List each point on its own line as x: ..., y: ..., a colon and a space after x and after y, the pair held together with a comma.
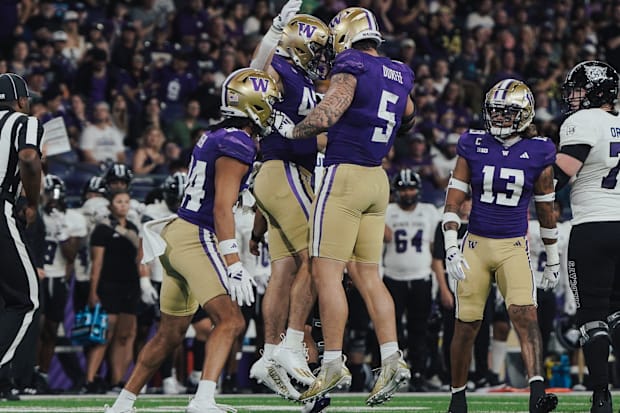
x: 197, y: 204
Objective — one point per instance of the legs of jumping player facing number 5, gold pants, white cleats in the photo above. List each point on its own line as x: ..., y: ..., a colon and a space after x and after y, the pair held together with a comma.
x: 284, y: 195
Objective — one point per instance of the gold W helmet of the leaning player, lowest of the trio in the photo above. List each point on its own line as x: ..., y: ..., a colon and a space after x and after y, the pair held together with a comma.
x: 250, y: 93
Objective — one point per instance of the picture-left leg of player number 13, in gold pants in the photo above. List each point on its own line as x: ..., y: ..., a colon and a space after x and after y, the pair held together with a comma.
x: 470, y: 299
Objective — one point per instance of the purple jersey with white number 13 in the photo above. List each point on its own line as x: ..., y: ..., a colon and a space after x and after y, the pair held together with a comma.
x: 502, y: 181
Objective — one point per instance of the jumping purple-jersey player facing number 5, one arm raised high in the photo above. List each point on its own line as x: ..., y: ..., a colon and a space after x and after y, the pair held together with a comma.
x: 283, y: 191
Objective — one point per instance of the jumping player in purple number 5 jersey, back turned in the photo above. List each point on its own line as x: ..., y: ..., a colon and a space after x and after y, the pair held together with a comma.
x: 367, y: 102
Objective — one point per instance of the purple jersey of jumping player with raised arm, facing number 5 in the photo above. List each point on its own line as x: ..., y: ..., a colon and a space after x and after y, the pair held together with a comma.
x: 299, y: 99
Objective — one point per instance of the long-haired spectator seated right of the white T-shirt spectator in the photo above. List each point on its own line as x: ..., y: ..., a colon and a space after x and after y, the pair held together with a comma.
x: 150, y: 157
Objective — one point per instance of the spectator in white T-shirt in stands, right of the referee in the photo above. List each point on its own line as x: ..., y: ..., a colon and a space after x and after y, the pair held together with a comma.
x: 102, y: 141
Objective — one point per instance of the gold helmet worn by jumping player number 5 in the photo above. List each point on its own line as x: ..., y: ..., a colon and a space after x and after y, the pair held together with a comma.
x: 352, y: 25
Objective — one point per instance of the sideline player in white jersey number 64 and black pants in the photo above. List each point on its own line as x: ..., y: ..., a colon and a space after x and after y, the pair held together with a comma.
x: 409, y: 233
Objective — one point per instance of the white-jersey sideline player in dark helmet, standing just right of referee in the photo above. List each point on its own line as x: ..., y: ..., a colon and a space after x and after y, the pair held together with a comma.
x: 65, y: 230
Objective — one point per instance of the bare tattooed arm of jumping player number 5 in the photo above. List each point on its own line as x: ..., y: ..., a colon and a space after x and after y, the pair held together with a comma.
x: 337, y: 100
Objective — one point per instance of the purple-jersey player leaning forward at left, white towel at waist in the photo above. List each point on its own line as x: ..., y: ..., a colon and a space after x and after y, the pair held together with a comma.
x: 201, y: 258
